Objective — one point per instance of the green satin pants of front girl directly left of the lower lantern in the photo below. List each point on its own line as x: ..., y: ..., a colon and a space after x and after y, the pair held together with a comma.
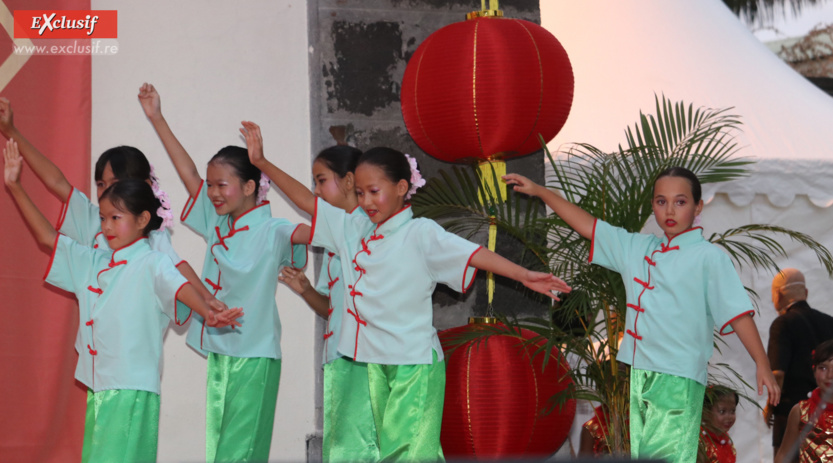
x: 407, y: 403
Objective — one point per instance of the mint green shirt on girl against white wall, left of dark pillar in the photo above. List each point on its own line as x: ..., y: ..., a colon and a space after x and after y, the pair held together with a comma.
x: 241, y: 268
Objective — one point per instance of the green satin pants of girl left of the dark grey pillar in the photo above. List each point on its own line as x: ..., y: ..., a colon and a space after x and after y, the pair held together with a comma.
x: 240, y: 408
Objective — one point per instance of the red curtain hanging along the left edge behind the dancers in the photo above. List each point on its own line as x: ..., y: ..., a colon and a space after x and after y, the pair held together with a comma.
x: 42, y: 406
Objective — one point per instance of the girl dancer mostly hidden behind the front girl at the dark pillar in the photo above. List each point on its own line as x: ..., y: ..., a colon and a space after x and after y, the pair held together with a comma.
x: 349, y: 429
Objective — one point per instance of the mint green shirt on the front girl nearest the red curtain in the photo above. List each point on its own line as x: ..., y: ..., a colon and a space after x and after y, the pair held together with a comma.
x: 126, y: 299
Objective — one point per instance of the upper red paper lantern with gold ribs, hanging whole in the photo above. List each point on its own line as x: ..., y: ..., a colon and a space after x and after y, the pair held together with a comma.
x: 485, y: 88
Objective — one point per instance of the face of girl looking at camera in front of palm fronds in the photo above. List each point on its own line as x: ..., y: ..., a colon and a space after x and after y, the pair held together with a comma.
x: 674, y: 206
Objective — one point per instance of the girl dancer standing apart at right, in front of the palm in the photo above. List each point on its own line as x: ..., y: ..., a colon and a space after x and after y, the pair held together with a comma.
x: 678, y: 287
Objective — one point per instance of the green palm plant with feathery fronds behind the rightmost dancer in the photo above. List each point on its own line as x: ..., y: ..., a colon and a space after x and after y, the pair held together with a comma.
x: 615, y: 187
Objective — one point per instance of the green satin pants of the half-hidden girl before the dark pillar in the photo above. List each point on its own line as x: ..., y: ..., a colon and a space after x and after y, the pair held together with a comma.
x: 349, y: 428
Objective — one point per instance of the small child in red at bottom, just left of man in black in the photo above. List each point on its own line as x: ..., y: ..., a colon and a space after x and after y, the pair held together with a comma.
x: 719, y: 406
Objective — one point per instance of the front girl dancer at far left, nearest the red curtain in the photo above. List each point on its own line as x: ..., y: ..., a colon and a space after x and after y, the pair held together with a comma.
x: 126, y: 295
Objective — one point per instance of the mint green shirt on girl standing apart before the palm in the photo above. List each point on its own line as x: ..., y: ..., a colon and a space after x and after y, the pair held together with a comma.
x: 678, y: 290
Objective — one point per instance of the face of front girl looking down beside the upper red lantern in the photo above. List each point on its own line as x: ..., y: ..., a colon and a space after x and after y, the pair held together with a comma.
x: 378, y: 195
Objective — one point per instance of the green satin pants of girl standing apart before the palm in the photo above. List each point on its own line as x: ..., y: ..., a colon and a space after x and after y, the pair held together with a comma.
x: 666, y: 411
